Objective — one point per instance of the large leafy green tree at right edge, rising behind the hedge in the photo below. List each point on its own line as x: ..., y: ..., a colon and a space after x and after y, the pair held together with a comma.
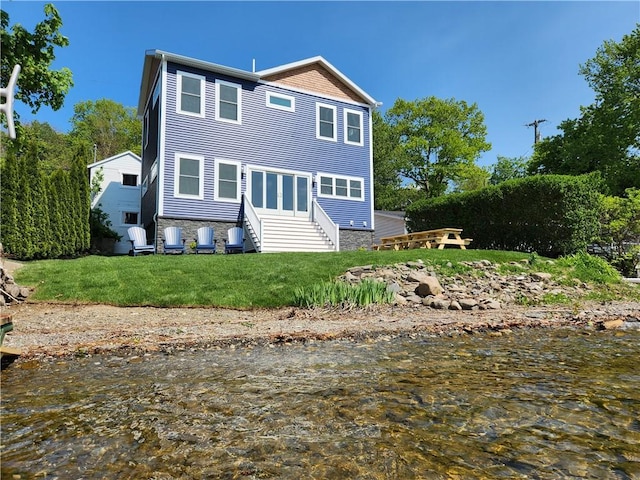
x: 606, y: 137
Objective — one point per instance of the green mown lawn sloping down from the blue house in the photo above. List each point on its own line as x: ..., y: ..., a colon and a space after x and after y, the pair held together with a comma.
x: 235, y: 281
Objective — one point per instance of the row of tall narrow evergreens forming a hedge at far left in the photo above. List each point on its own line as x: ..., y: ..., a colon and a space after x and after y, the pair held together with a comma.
x: 43, y: 216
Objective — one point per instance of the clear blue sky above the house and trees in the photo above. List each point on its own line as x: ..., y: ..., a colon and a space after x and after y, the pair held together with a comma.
x: 518, y: 61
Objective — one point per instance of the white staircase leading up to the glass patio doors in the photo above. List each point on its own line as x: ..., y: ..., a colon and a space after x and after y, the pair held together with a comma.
x: 289, y: 234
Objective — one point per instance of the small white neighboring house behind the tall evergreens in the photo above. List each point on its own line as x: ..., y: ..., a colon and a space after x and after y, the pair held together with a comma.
x: 119, y: 196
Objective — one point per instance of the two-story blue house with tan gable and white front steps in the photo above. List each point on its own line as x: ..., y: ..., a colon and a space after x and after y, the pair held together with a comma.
x: 285, y: 152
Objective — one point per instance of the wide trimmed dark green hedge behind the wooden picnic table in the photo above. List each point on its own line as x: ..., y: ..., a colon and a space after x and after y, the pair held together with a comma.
x: 552, y: 215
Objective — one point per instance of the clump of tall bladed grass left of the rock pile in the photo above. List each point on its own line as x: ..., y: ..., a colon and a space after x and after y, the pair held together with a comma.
x: 343, y: 294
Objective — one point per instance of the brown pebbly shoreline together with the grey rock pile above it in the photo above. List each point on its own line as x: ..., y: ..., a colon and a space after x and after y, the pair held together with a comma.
x: 426, y: 305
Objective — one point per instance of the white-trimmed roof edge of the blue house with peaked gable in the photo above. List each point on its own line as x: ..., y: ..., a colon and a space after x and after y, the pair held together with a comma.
x: 282, y: 74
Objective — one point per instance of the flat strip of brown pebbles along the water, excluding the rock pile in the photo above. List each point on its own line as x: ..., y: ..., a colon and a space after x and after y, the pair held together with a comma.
x: 56, y: 330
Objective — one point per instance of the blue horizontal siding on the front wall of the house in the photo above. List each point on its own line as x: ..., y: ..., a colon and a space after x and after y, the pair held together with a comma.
x: 267, y: 137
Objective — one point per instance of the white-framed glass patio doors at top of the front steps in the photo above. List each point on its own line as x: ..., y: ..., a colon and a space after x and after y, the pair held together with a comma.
x: 280, y: 193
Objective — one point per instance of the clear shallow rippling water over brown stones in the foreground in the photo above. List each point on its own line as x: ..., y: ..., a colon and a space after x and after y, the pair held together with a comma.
x: 537, y: 404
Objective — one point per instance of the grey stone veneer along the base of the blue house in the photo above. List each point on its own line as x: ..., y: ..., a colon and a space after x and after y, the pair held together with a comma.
x: 349, y: 239
